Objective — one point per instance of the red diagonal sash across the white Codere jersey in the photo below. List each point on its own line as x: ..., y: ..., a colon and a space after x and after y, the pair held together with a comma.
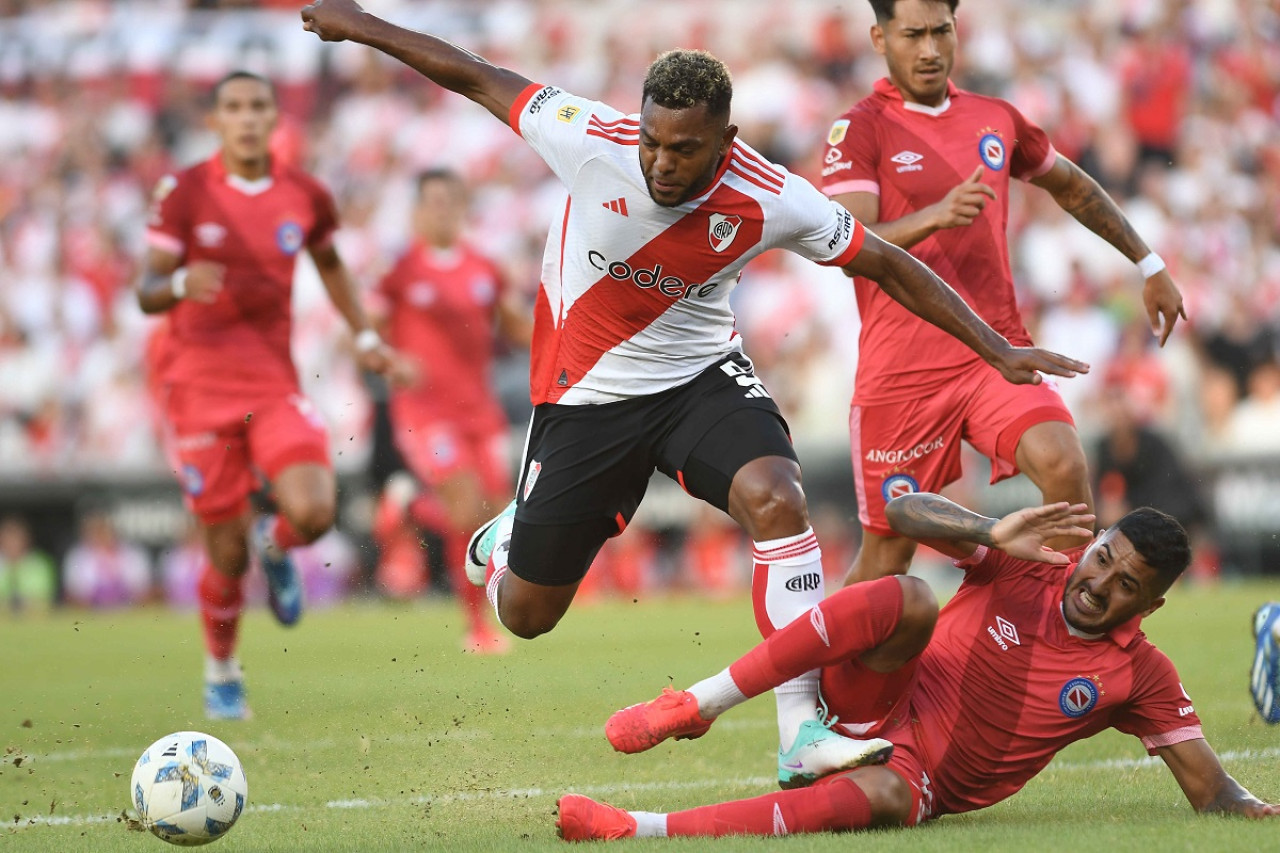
x: 612, y: 312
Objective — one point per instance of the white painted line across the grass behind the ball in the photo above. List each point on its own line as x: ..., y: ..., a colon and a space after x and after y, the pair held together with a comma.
x: 606, y: 791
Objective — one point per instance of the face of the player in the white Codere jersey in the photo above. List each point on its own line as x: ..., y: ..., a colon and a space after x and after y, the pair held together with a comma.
x: 680, y: 150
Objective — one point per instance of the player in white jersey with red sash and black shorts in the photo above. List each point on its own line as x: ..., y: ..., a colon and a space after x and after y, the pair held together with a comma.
x: 637, y: 366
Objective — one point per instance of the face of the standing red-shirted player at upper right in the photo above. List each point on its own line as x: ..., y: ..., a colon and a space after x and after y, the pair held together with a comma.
x: 920, y: 47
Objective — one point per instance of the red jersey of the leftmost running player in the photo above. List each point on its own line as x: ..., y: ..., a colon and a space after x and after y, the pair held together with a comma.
x: 255, y: 230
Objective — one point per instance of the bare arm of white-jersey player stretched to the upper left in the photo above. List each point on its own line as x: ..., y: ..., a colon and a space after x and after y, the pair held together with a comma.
x: 454, y: 69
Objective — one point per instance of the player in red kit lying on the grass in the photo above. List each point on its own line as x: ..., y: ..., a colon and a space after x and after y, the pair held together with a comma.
x: 1025, y: 626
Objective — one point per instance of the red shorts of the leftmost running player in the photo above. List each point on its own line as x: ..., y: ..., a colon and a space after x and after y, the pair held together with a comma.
x: 218, y: 446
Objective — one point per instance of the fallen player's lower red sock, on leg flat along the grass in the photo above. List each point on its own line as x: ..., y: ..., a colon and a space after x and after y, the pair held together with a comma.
x: 839, y: 805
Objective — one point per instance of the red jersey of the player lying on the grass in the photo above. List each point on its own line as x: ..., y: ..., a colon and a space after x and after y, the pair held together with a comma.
x: 1004, y: 686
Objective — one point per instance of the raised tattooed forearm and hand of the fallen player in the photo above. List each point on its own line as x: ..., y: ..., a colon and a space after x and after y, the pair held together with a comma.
x: 949, y: 528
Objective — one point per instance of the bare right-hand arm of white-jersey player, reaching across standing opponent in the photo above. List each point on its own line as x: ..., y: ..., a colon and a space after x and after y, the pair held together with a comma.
x: 922, y: 293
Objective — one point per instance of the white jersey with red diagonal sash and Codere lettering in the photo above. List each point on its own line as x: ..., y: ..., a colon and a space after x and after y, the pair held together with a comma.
x: 636, y: 297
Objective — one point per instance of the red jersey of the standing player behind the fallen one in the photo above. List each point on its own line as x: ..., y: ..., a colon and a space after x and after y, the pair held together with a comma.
x: 912, y: 156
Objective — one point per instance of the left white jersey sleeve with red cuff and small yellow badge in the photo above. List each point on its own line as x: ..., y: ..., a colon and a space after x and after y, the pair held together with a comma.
x: 559, y: 125
